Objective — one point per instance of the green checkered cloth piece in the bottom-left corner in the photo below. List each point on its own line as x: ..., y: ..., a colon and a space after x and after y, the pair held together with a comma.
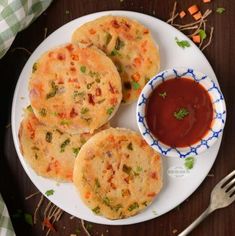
x: 6, y: 228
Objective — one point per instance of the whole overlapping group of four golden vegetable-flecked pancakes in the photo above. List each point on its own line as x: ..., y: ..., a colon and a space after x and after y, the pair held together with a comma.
x: 74, y: 91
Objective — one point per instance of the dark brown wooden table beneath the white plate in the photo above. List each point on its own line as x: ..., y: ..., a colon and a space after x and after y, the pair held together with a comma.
x: 15, y: 185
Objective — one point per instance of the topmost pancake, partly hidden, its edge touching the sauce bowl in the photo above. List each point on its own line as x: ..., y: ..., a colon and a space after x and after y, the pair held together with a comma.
x: 128, y: 44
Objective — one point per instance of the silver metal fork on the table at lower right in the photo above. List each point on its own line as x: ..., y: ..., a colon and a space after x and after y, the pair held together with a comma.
x: 222, y: 195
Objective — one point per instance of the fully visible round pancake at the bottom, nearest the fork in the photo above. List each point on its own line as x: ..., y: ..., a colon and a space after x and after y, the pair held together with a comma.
x: 117, y: 174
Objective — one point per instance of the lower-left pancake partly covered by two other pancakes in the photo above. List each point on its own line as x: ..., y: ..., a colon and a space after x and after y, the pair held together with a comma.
x: 50, y: 152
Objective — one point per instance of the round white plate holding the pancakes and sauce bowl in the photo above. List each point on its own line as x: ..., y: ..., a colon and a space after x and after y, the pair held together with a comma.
x: 179, y: 183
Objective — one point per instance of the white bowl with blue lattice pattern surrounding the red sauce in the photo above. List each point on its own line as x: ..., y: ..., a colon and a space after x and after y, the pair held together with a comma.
x: 219, y: 112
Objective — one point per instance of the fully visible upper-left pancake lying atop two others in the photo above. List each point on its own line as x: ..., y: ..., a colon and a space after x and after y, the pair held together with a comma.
x: 74, y: 89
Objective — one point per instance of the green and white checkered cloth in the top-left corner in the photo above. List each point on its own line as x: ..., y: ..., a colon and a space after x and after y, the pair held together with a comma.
x: 16, y: 15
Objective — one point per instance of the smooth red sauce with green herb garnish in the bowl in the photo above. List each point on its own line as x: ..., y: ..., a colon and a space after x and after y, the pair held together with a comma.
x: 179, y: 112
